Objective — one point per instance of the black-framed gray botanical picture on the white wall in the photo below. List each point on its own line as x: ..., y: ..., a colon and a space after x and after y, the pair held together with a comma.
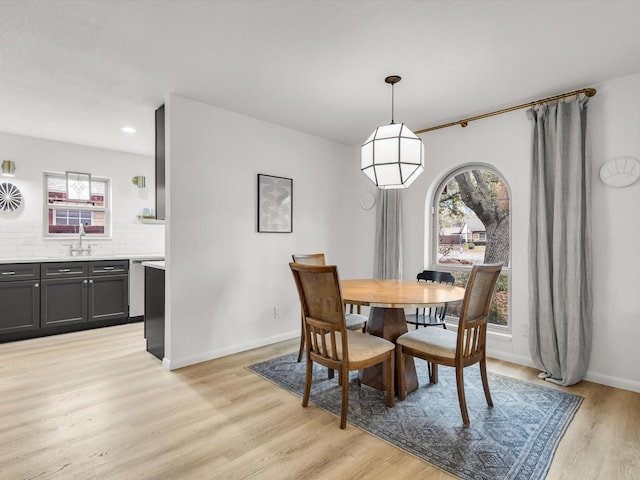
x: 275, y: 204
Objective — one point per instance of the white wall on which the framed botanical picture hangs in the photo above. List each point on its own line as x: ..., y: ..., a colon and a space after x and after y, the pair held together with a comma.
x: 223, y: 278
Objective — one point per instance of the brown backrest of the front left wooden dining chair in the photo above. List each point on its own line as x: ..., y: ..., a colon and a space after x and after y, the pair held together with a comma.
x: 321, y: 300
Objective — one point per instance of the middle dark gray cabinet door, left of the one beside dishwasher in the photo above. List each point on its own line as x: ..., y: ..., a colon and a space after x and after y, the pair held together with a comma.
x: 63, y: 301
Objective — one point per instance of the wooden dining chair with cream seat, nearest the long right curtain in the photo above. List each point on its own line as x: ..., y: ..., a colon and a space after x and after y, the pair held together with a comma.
x: 456, y: 349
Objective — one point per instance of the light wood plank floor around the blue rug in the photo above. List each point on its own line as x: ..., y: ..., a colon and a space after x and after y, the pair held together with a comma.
x: 96, y: 405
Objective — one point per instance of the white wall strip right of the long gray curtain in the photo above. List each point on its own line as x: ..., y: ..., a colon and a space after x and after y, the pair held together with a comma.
x: 615, y: 132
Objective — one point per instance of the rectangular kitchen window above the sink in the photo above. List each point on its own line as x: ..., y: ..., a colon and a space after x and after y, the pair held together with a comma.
x: 73, y: 198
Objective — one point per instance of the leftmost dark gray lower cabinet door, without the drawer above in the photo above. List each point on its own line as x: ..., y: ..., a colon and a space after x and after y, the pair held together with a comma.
x: 19, y: 306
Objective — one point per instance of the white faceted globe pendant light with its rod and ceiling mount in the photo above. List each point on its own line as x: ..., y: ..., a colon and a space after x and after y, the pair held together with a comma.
x: 393, y: 156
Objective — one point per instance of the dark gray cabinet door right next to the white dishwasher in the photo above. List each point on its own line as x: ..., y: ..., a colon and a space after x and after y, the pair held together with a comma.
x: 108, y: 297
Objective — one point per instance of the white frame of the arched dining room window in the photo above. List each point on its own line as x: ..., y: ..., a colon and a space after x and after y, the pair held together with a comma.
x: 434, y: 223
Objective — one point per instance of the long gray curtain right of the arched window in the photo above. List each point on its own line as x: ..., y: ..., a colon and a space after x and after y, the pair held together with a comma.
x: 560, y: 267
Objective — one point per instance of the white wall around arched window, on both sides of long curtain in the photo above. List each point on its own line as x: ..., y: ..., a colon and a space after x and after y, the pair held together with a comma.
x: 503, y: 141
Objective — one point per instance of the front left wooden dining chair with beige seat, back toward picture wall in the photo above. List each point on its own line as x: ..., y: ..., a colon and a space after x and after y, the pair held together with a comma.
x: 329, y: 342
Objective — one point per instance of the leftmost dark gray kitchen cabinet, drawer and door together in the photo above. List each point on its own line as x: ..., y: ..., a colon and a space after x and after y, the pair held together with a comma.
x: 19, y: 297
